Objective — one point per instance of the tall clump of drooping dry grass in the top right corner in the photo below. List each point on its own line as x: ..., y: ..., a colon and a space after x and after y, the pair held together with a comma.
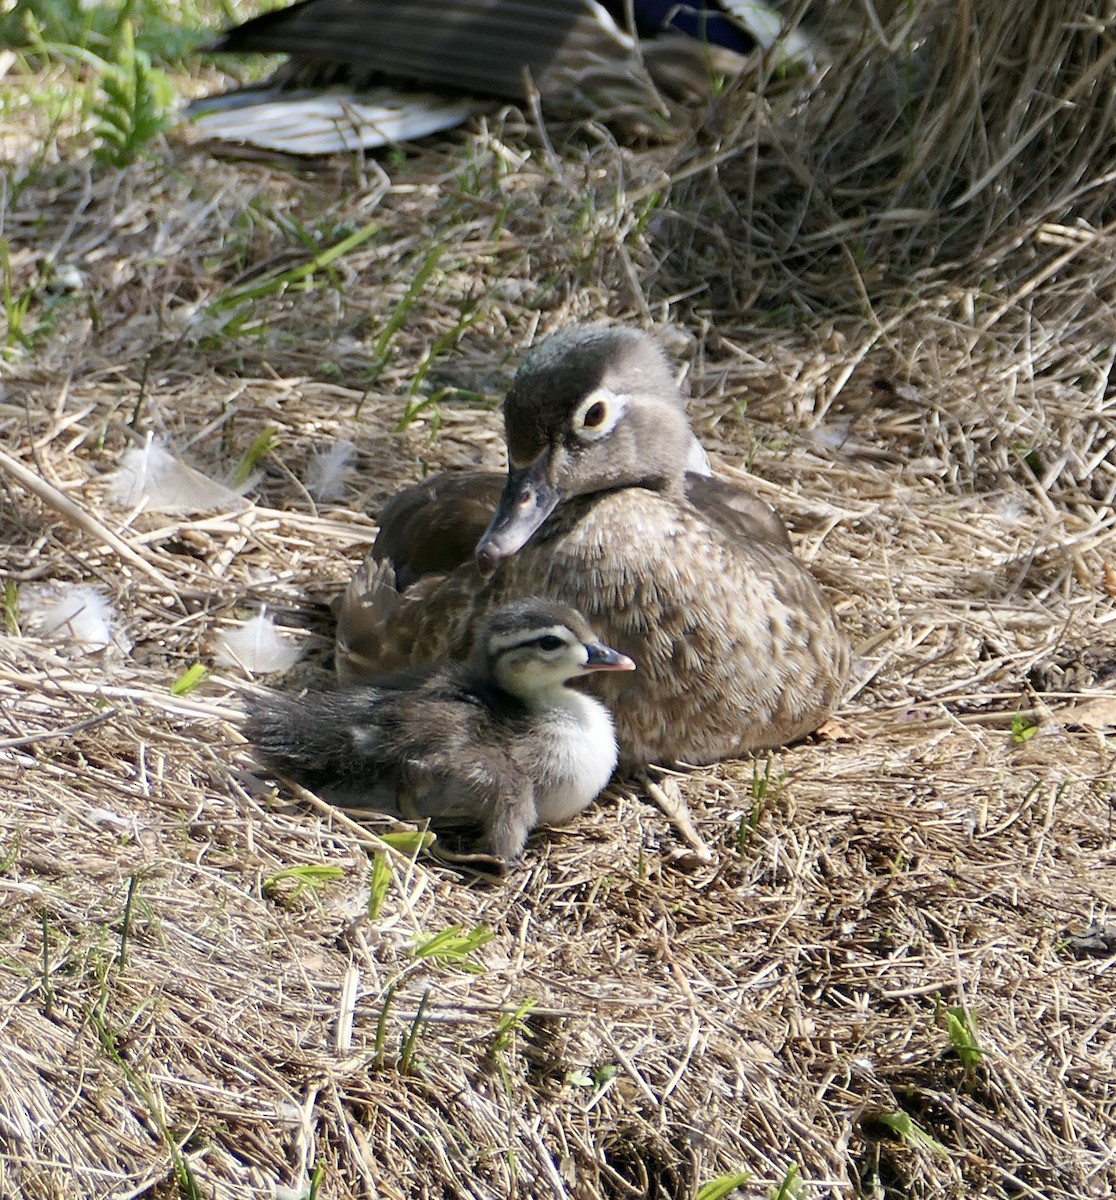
x: 939, y: 139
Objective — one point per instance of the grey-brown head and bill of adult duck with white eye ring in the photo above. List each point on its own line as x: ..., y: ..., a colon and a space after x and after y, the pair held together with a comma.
x: 592, y: 409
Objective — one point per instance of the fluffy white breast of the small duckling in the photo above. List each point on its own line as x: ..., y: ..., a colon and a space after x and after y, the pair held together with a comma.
x: 575, y: 755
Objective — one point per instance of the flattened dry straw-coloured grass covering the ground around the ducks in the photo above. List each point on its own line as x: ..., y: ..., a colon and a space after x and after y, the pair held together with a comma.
x: 898, y: 320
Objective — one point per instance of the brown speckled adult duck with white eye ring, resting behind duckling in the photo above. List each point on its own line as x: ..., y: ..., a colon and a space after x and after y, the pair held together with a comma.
x: 692, y: 578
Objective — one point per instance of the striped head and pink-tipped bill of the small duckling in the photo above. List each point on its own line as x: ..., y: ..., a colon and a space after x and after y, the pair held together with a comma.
x: 533, y: 647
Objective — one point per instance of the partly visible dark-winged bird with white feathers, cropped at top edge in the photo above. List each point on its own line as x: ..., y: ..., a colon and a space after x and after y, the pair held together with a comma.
x: 374, y: 73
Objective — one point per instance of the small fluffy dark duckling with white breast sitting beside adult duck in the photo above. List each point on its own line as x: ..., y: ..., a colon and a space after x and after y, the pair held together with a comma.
x: 501, y: 742
